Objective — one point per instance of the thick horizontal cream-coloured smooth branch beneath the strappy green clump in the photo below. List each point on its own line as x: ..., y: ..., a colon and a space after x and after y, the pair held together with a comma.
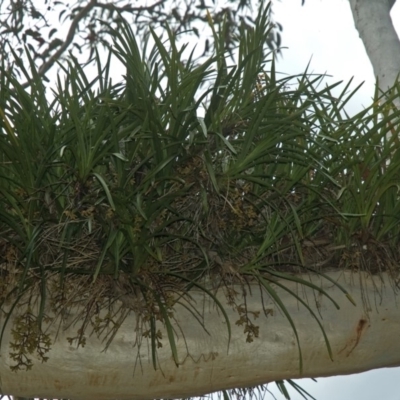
x: 362, y: 337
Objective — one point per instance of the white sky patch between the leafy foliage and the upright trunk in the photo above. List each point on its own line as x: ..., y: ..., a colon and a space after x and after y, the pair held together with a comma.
x: 322, y: 34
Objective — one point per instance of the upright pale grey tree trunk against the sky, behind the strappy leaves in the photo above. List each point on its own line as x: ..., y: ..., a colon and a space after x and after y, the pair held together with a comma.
x: 374, y: 24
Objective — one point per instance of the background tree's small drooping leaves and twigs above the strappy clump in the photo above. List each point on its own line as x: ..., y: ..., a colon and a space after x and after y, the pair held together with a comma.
x: 36, y: 24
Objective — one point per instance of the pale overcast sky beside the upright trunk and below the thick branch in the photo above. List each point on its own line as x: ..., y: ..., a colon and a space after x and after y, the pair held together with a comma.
x: 322, y: 32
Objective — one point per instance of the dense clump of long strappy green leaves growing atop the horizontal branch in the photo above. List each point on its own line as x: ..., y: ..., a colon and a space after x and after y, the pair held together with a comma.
x: 123, y: 194
